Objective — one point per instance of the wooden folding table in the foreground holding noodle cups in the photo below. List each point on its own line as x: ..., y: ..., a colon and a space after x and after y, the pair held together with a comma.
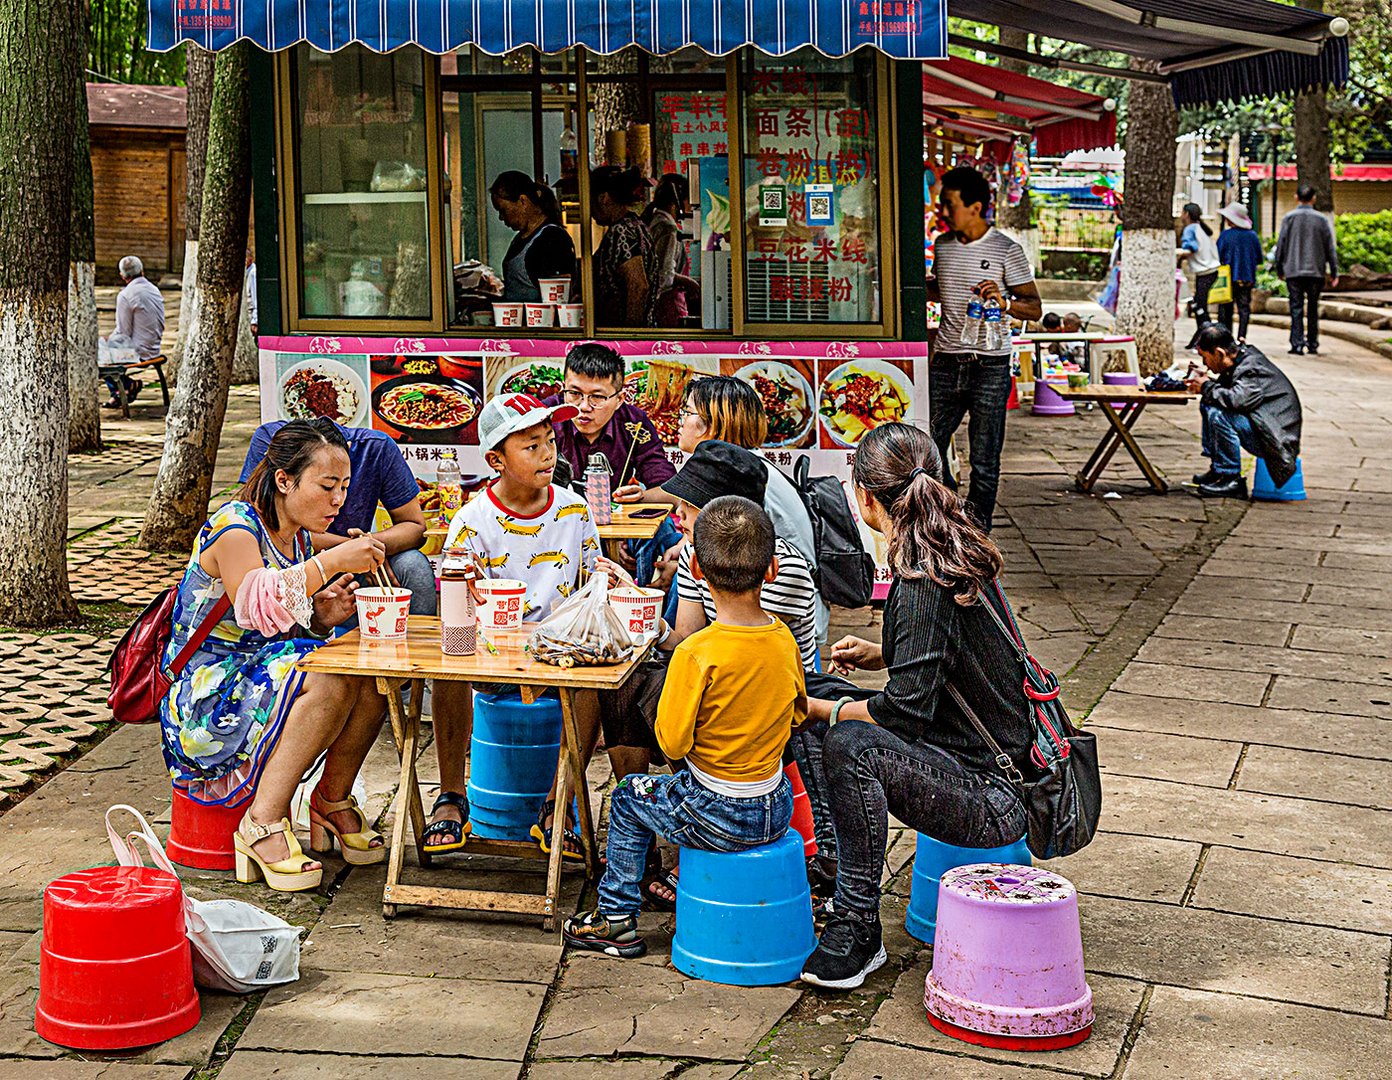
x: 417, y: 659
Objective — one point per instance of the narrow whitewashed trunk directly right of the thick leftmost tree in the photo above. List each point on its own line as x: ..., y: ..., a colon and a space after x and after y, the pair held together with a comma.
x: 84, y: 410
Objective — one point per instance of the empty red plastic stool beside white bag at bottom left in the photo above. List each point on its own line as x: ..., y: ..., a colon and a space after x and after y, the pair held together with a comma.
x: 115, y: 965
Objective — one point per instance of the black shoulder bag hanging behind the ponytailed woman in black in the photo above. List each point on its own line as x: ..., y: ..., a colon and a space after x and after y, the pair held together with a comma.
x: 1064, y: 793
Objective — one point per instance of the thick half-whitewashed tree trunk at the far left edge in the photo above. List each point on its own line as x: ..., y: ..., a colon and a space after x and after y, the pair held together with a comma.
x: 41, y: 56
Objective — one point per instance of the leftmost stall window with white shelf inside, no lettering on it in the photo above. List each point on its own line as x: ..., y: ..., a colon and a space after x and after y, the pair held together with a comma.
x: 363, y: 201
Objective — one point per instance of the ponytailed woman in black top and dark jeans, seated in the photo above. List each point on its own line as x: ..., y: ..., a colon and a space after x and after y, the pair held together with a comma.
x: 911, y: 749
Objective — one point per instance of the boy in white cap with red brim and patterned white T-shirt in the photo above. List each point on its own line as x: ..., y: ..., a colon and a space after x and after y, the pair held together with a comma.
x: 520, y: 527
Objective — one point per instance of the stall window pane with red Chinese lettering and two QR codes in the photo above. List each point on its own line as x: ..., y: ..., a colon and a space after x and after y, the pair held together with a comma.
x: 814, y: 193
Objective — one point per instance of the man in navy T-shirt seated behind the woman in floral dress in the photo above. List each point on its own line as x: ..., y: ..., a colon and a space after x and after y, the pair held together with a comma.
x: 379, y: 475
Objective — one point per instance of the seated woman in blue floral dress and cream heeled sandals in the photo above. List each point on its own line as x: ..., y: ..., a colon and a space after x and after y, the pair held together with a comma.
x: 240, y: 724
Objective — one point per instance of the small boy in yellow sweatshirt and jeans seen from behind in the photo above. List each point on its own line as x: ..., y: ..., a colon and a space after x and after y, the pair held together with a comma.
x: 733, y: 697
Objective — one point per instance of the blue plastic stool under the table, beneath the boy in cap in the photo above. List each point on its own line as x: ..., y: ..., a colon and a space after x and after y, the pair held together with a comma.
x: 512, y: 765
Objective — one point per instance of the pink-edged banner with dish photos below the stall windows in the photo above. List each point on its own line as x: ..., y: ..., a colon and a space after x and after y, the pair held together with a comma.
x: 822, y: 399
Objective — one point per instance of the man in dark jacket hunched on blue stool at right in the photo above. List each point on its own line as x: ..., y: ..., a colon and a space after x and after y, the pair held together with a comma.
x: 1248, y: 404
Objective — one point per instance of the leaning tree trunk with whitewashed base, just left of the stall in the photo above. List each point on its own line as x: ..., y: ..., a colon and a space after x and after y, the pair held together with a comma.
x: 194, y: 427
